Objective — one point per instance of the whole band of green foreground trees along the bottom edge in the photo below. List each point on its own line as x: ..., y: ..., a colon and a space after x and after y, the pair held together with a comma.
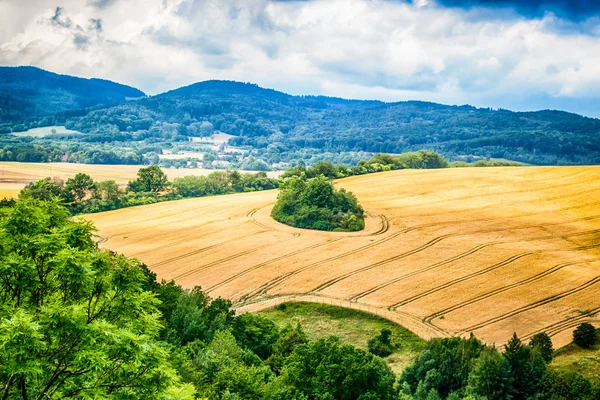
x: 80, y: 322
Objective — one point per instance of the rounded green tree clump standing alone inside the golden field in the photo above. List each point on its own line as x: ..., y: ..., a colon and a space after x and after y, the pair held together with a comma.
x: 314, y: 203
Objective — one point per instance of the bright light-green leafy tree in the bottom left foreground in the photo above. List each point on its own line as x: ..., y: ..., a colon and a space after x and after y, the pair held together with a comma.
x: 74, y: 320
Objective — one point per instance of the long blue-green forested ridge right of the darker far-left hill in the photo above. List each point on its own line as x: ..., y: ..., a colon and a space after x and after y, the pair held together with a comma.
x: 278, y: 122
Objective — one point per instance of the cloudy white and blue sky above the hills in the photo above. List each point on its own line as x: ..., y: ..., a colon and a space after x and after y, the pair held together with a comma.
x: 519, y: 55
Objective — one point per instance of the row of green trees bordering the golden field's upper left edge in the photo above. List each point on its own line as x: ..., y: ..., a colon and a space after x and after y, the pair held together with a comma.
x: 82, y: 194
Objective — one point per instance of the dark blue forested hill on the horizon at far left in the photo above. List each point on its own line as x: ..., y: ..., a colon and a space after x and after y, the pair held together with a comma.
x: 33, y: 92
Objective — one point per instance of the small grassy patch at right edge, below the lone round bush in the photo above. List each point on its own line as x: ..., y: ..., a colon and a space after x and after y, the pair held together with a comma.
x: 573, y: 358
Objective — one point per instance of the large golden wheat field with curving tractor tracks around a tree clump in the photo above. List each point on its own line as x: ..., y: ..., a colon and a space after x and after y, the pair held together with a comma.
x: 445, y: 252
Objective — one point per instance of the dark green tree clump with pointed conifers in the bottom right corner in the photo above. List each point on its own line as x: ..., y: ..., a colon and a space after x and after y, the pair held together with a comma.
x: 458, y: 368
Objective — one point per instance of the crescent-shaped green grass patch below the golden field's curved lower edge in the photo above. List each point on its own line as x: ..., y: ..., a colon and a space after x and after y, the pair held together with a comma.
x: 351, y: 326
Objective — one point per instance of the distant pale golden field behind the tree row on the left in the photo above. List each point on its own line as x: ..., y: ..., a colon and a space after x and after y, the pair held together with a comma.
x: 15, y: 175
